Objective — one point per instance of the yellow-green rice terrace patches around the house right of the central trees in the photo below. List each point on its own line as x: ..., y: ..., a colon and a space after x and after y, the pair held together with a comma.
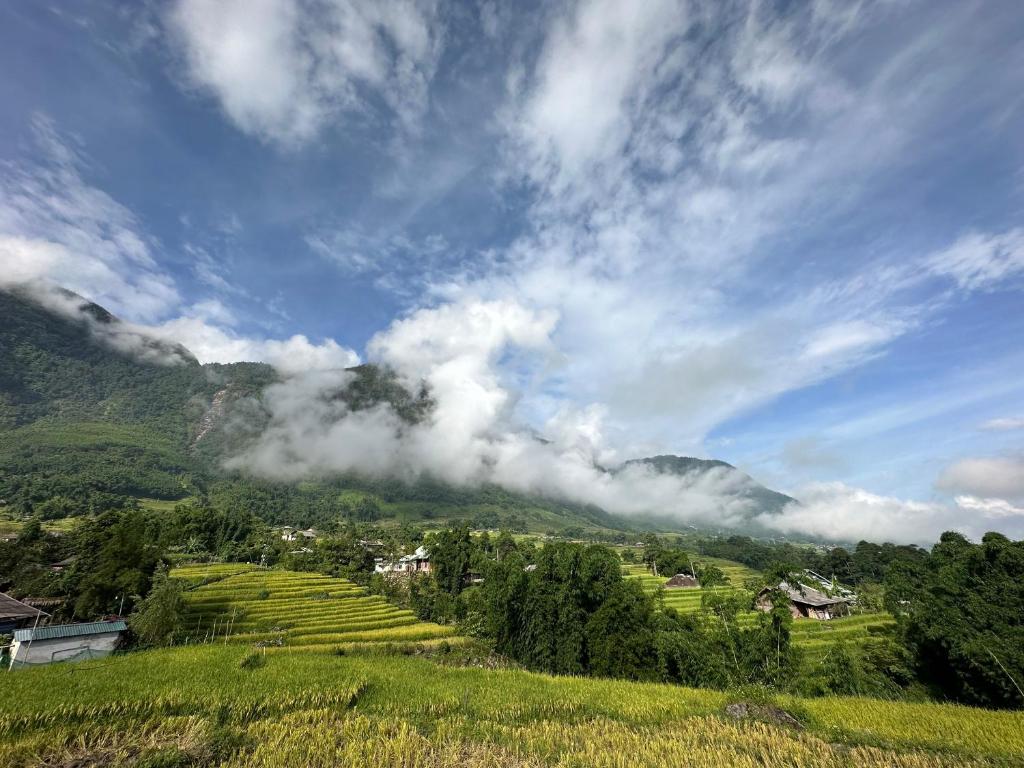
x: 813, y: 636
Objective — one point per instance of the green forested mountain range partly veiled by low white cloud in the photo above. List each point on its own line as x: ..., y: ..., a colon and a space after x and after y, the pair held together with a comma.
x: 93, y: 411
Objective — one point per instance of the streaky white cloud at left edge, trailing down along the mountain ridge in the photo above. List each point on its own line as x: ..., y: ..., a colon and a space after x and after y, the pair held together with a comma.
x: 58, y: 230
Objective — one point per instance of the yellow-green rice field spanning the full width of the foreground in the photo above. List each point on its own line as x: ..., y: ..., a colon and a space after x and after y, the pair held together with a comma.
x: 226, y: 706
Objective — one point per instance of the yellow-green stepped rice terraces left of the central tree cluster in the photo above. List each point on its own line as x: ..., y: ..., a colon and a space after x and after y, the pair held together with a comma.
x: 245, y: 605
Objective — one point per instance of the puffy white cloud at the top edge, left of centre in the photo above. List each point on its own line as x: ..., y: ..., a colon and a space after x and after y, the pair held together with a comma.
x: 282, y: 69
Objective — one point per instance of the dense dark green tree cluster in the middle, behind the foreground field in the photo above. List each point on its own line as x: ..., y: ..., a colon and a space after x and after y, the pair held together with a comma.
x: 567, y: 609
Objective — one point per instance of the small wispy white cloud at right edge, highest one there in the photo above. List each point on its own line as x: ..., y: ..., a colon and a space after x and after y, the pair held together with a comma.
x: 982, y: 262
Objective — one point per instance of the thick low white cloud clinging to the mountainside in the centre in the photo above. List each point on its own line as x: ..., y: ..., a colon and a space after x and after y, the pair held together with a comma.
x: 474, y: 435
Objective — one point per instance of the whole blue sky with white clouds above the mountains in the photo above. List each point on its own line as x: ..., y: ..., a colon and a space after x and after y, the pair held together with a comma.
x: 788, y: 236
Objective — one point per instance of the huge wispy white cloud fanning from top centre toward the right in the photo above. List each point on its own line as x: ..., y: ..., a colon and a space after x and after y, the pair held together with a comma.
x: 708, y: 131
